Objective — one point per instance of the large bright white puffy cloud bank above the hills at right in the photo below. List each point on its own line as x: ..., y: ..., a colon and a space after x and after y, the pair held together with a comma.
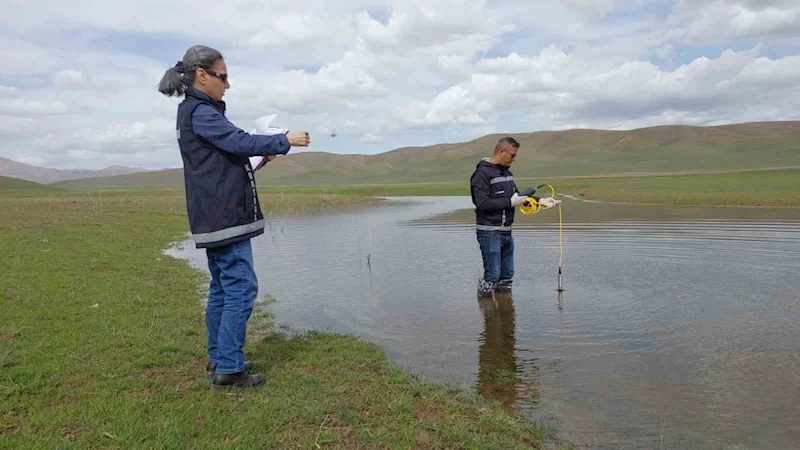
x: 554, y: 88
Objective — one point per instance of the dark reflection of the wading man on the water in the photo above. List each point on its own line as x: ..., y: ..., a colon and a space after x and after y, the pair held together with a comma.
x: 497, y: 364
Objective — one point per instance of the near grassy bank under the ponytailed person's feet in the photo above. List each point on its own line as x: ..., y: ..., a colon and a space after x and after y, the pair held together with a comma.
x: 102, y: 346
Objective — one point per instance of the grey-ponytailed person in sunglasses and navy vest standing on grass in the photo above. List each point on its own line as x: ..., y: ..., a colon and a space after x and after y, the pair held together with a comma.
x: 222, y: 203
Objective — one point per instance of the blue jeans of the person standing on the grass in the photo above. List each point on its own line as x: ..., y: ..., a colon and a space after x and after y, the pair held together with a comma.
x: 231, y: 295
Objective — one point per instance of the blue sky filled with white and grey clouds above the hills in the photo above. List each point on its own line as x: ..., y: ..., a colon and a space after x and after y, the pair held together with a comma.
x: 78, y: 88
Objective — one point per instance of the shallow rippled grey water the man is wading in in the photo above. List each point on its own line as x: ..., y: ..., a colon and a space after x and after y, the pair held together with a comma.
x: 678, y: 327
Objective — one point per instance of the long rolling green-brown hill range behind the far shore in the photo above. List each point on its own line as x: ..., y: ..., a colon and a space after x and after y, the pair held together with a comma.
x: 544, y: 154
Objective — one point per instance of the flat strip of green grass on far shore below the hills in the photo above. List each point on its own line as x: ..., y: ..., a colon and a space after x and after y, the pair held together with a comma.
x: 753, y: 188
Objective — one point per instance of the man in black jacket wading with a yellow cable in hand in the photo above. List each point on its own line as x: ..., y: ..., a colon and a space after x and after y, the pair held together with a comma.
x: 495, y: 196
